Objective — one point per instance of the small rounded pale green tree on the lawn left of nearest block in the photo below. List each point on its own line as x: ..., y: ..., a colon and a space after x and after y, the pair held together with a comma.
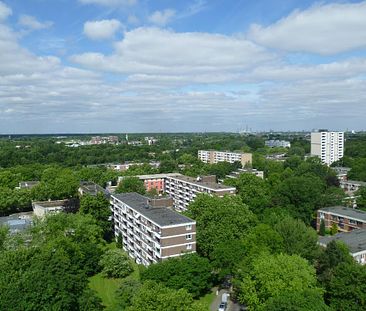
x: 115, y: 263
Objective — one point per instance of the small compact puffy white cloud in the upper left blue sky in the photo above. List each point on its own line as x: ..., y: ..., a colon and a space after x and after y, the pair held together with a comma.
x: 101, y: 30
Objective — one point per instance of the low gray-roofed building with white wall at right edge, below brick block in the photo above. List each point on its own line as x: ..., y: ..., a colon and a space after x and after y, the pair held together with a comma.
x: 355, y: 241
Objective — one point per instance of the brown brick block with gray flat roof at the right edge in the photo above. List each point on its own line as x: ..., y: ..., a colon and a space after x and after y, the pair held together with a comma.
x: 347, y: 219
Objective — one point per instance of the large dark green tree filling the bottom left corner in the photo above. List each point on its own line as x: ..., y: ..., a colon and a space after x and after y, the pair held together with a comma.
x: 40, y: 279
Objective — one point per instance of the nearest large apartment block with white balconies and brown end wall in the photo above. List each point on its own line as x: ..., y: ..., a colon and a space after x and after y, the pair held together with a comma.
x: 151, y: 232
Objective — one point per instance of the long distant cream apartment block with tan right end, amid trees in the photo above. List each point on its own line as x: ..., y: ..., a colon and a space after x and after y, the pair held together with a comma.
x: 212, y: 157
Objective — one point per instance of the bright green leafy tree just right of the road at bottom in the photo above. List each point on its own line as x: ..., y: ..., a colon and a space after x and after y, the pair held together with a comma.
x: 272, y: 275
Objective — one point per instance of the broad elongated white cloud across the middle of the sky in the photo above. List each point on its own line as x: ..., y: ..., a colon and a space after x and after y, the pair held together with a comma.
x: 157, y: 51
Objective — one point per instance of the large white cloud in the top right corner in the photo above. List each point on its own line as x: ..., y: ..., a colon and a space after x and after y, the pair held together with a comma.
x: 323, y: 29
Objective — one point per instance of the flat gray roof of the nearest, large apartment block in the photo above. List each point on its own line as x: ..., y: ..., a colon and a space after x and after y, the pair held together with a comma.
x: 159, y: 215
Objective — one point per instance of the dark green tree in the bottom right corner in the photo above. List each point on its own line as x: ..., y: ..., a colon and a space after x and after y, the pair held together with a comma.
x: 347, y: 287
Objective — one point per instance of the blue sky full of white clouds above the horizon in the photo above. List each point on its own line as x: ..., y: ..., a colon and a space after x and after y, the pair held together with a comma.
x: 122, y: 66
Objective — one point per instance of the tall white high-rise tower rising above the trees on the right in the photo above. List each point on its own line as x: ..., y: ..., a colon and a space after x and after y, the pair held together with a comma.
x: 328, y: 146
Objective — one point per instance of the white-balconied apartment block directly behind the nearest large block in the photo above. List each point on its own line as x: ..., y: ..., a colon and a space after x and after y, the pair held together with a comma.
x: 183, y: 189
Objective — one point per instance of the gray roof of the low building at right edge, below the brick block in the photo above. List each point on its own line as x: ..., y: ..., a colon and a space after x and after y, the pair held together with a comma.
x: 355, y: 240
